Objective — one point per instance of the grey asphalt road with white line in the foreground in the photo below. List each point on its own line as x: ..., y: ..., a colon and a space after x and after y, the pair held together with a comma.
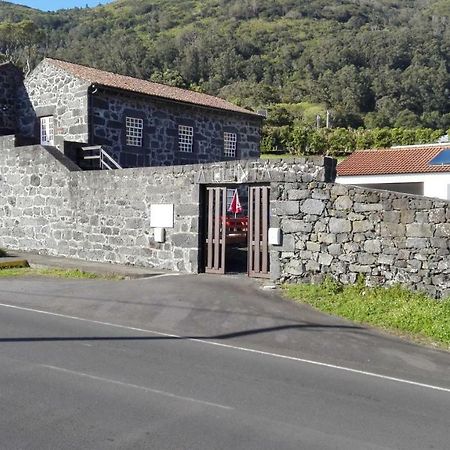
x: 205, y: 363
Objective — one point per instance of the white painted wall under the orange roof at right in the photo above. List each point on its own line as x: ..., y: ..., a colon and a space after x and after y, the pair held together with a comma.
x: 435, y: 185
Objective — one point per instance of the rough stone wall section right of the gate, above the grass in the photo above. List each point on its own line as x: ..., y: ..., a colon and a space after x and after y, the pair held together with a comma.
x: 345, y: 231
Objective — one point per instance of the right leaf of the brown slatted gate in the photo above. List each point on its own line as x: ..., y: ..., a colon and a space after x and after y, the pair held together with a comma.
x: 258, y: 230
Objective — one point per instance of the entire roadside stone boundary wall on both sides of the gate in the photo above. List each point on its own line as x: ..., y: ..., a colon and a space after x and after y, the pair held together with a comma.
x: 49, y: 206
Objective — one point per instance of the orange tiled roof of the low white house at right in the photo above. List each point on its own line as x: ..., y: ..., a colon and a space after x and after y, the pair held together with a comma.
x: 413, y: 159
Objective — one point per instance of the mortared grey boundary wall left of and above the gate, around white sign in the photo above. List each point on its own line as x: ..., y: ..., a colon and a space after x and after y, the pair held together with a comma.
x: 51, y: 208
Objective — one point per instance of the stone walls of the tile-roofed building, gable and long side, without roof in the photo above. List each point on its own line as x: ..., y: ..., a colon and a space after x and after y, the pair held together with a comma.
x: 92, y: 115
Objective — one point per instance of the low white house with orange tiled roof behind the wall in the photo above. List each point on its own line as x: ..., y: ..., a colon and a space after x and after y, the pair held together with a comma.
x: 413, y: 169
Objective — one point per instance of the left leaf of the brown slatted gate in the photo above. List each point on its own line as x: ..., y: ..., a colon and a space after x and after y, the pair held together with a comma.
x: 216, y: 202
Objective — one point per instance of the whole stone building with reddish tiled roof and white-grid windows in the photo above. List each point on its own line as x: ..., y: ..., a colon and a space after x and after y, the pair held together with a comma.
x: 138, y: 123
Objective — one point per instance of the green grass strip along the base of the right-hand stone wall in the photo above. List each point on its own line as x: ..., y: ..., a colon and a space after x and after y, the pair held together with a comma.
x: 393, y: 309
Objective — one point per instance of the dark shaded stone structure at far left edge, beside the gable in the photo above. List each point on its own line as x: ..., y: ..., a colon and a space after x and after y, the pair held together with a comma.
x: 10, y: 80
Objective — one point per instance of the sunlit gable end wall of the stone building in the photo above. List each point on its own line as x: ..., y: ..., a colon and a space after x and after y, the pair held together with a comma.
x: 50, y: 91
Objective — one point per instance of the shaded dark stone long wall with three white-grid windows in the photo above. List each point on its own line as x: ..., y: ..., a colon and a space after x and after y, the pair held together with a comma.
x: 160, y: 136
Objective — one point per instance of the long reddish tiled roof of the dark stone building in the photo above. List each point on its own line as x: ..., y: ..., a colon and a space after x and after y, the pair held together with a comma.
x: 136, y: 85
